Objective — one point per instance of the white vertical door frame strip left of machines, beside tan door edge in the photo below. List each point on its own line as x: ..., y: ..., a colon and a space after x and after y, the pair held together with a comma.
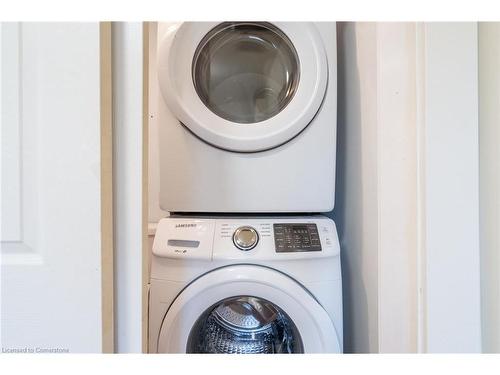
x: 129, y: 186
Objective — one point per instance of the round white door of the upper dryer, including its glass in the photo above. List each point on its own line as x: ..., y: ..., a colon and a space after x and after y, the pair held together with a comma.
x: 243, y: 86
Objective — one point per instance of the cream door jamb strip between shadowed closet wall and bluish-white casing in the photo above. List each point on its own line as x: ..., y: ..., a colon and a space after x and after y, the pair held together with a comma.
x: 397, y: 187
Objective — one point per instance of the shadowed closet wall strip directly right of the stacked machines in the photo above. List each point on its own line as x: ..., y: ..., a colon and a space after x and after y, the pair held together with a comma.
x: 355, y: 210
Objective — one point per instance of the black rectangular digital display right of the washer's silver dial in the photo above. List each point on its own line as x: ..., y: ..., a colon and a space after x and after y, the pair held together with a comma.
x: 289, y: 238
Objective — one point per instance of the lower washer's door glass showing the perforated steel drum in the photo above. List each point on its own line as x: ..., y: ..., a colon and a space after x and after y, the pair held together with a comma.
x: 244, y: 325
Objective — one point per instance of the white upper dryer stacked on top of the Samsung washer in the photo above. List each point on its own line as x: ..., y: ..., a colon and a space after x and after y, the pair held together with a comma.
x: 246, y: 113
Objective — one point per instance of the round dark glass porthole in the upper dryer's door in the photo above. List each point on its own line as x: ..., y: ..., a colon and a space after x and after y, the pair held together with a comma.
x: 246, y: 72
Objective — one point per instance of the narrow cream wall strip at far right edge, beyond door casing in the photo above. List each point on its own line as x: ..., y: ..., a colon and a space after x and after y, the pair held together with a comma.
x: 489, y: 168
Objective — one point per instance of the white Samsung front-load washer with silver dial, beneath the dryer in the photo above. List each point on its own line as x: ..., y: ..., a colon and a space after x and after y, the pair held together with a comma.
x: 246, y: 285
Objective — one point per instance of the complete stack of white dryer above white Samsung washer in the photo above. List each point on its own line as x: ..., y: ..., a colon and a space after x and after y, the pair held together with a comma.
x: 245, y: 263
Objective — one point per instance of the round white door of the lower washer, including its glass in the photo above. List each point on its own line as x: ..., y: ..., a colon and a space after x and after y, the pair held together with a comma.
x: 246, y: 309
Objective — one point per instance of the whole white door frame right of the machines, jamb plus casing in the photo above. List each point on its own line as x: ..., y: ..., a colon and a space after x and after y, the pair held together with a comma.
x: 428, y: 190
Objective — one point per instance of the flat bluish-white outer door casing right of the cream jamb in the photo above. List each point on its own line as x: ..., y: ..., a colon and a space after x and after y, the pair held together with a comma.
x: 449, y: 157
